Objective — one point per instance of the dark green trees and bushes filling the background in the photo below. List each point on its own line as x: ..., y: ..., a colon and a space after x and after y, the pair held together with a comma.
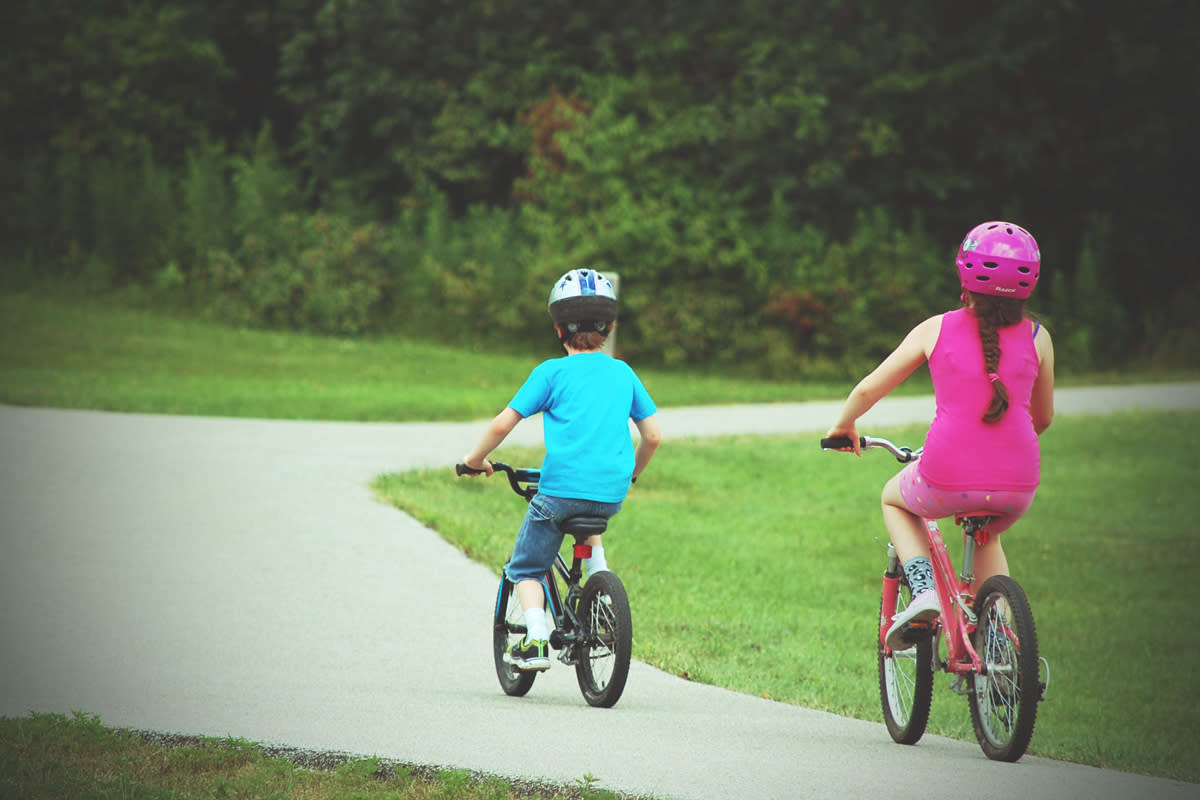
x: 779, y: 184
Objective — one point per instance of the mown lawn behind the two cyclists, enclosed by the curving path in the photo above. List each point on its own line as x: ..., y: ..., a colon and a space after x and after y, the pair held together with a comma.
x: 754, y: 564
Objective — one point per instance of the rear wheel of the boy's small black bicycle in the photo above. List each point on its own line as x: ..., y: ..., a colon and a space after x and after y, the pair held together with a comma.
x: 605, y: 640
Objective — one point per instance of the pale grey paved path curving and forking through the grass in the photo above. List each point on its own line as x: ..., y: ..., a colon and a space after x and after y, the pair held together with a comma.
x: 236, y: 578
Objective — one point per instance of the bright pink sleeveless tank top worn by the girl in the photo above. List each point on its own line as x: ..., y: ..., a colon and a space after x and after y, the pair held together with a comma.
x: 962, y: 452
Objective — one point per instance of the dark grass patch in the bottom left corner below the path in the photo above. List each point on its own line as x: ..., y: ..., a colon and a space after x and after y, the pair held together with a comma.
x: 51, y: 757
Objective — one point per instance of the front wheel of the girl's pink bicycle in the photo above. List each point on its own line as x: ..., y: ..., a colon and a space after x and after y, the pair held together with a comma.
x: 907, y: 682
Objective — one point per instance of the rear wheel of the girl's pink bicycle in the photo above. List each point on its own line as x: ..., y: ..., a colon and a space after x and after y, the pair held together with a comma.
x: 1005, y: 697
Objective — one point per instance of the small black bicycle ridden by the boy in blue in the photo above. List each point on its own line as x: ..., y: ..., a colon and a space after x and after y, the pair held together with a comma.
x: 592, y: 624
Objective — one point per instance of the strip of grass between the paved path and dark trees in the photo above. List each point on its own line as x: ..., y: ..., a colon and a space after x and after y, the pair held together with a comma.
x: 113, y: 354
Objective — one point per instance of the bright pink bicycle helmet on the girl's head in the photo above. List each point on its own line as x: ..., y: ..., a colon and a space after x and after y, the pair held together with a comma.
x: 1000, y: 258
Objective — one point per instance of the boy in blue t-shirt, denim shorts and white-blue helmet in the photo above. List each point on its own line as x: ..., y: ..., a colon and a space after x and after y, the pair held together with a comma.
x: 587, y: 400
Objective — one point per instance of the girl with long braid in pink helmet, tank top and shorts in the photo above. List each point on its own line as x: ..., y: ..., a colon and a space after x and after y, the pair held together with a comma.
x: 993, y: 372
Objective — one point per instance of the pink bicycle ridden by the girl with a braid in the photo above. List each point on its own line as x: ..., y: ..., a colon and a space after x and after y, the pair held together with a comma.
x: 986, y: 641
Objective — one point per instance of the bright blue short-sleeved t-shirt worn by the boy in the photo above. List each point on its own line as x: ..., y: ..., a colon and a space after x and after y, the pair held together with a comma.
x: 587, y: 401
